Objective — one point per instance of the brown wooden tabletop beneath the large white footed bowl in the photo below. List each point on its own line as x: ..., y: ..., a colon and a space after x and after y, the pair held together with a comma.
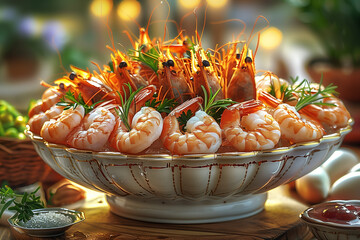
x: 279, y: 220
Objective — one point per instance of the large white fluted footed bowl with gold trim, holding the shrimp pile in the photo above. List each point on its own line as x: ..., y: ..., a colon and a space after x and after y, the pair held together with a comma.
x: 192, y: 188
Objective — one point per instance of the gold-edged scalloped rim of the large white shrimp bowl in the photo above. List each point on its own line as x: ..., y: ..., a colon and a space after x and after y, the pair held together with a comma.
x: 194, y: 157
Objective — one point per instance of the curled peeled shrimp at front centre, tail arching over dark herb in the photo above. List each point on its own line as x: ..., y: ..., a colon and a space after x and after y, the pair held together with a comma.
x: 203, y: 133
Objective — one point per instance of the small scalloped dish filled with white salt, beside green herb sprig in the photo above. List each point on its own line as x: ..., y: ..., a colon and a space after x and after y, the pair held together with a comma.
x: 48, y: 222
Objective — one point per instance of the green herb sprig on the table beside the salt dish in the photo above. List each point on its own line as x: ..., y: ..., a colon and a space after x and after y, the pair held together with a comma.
x: 24, y: 207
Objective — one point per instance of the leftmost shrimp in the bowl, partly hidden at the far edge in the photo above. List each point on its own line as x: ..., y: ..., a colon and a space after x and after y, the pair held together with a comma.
x: 37, y: 121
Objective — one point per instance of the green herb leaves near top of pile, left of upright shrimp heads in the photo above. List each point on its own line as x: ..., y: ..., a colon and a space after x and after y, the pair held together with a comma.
x: 149, y: 58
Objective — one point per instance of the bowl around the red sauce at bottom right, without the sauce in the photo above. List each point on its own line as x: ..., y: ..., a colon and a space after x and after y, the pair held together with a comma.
x: 331, y: 230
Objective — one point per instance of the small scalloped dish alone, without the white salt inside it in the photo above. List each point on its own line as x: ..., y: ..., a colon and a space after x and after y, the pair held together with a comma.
x: 76, y: 217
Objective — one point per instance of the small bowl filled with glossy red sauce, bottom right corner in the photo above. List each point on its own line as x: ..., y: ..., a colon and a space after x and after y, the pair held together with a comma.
x: 338, y: 219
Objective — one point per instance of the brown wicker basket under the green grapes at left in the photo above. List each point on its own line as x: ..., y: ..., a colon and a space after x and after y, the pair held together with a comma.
x: 20, y: 165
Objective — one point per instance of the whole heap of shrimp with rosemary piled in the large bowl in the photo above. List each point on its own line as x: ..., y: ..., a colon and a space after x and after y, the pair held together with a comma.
x: 180, y: 98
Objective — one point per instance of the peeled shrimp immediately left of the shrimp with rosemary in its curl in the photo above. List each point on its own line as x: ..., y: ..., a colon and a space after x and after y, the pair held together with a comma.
x: 94, y: 131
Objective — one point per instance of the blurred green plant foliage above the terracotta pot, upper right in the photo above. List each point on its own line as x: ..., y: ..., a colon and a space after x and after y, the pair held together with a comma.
x: 336, y: 22
